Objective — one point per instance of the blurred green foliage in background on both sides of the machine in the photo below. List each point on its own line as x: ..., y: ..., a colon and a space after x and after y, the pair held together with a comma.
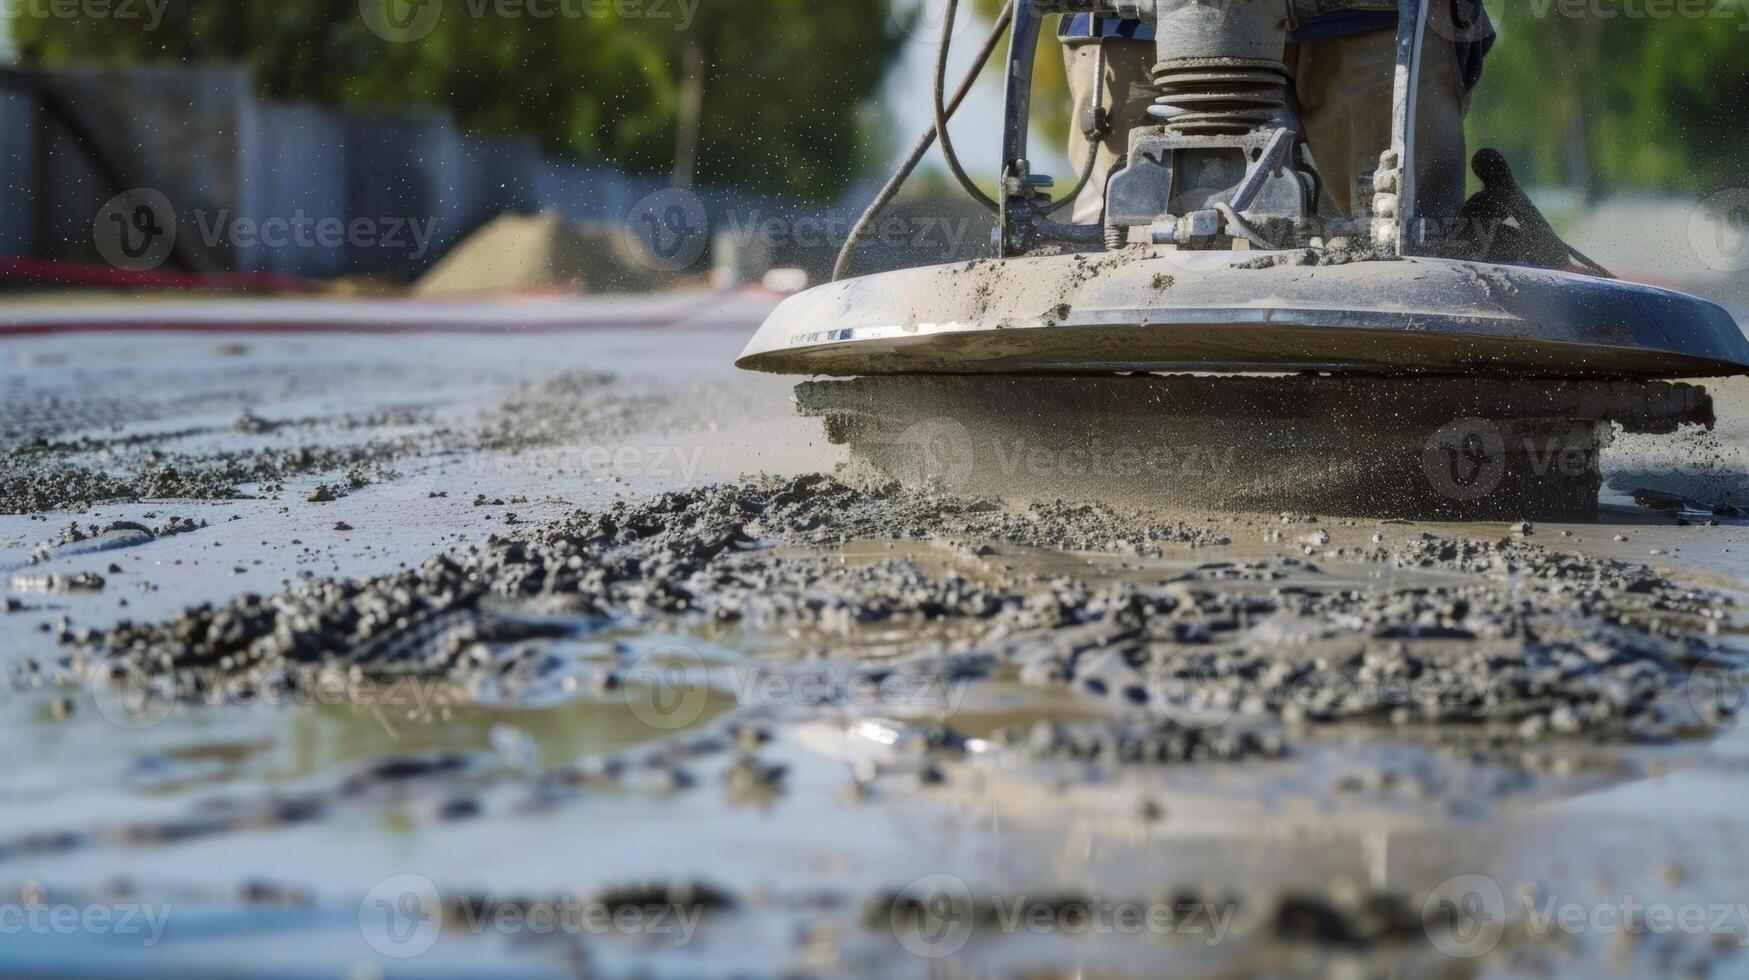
x: 1598, y: 104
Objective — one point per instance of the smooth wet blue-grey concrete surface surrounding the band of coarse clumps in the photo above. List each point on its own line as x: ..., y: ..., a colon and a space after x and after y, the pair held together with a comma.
x: 585, y: 412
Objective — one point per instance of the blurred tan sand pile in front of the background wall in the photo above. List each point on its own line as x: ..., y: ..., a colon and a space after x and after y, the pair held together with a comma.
x: 541, y: 255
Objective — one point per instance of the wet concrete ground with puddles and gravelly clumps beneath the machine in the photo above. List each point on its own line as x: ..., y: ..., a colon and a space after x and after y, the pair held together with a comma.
x: 830, y: 748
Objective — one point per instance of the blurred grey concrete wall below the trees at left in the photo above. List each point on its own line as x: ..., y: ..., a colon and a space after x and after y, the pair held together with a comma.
x: 253, y: 183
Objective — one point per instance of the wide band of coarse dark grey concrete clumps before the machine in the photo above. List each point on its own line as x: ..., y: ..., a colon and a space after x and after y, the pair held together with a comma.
x: 1530, y: 643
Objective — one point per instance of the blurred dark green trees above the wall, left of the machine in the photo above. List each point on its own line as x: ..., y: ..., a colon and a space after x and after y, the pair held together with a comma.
x: 763, y: 94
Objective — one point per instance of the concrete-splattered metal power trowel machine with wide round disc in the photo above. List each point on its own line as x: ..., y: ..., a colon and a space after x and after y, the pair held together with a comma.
x: 1223, y: 333
